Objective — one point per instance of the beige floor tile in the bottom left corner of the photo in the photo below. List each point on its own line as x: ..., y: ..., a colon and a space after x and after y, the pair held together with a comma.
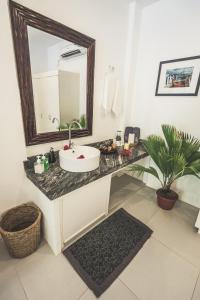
x: 10, y: 286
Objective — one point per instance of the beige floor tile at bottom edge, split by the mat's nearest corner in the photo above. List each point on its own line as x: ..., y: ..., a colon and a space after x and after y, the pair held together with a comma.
x: 117, y: 291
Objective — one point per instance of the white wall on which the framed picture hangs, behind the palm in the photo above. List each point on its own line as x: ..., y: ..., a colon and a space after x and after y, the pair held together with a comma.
x: 167, y: 30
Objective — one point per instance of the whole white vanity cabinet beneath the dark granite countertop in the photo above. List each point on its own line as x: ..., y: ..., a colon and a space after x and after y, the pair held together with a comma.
x: 68, y: 216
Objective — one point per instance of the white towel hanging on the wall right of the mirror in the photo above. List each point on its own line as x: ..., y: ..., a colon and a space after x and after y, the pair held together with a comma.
x: 111, y: 93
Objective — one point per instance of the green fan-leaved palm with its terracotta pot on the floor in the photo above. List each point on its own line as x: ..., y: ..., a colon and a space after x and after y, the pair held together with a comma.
x: 176, y: 155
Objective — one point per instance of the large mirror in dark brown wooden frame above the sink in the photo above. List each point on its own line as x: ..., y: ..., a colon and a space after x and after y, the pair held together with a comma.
x: 55, y: 67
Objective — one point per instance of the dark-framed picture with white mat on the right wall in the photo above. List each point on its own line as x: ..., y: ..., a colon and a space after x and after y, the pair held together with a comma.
x: 179, y: 77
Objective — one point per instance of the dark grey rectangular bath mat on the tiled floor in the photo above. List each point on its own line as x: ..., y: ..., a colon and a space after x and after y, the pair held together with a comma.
x: 102, y: 253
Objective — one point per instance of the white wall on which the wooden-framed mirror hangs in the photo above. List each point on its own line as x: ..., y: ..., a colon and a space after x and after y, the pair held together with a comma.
x: 104, y: 21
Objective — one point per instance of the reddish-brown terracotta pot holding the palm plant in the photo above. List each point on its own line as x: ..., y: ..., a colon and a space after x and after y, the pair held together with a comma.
x: 166, y: 200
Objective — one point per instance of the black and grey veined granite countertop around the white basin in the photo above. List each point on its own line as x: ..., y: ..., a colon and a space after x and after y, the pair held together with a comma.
x: 57, y: 182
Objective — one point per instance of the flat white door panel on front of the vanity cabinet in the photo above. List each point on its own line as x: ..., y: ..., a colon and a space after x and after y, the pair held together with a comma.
x: 84, y: 206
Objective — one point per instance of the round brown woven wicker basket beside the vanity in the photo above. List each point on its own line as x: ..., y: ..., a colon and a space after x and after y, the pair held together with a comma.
x: 20, y: 228
